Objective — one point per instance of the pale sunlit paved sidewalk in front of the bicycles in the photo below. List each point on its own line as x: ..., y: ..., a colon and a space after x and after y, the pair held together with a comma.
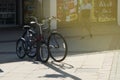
x: 87, y: 66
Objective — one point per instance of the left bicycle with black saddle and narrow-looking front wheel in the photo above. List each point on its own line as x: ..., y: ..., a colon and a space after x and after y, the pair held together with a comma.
x: 32, y: 39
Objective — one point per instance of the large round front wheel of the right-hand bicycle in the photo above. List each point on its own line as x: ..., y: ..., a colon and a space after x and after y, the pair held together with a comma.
x: 57, y: 47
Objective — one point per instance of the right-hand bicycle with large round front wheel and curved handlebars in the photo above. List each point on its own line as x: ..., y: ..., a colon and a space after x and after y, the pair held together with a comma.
x: 57, y: 46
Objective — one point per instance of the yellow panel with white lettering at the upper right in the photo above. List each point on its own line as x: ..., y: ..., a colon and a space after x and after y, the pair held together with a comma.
x: 105, y: 10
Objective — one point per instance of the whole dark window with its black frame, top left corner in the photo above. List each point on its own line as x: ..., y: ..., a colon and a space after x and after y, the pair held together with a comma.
x: 10, y: 13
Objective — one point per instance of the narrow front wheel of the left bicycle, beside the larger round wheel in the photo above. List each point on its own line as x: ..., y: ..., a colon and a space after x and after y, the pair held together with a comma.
x: 43, y: 54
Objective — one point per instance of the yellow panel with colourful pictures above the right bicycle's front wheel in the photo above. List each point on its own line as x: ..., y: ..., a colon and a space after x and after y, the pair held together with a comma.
x: 67, y: 10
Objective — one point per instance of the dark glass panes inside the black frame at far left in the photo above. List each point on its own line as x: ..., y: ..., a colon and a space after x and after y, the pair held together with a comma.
x: 7, y: 12
